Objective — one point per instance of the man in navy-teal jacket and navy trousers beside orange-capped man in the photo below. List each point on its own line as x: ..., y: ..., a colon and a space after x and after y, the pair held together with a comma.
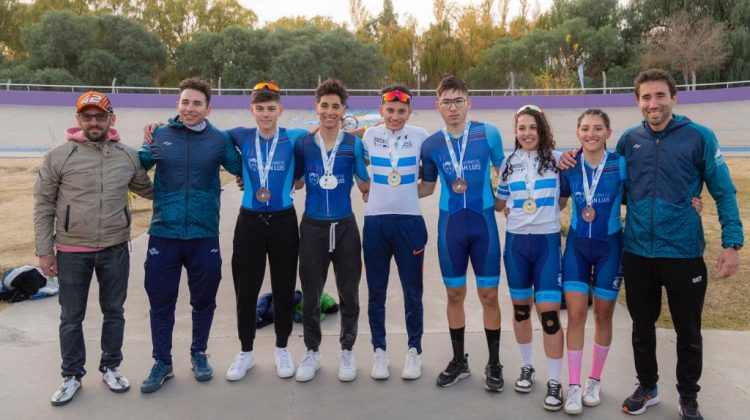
x: 184, y: 230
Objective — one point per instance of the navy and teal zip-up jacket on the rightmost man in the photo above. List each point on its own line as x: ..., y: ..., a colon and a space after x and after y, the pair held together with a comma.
x: 666, y: 170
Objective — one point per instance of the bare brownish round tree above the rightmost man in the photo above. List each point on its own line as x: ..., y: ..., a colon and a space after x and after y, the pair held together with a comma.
x: 688, y: 45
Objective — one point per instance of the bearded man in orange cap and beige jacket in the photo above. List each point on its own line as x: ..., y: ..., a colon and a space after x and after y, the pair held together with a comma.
x: 81, y: 212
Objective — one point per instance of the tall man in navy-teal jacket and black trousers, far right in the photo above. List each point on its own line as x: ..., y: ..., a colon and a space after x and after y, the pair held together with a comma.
x: 668, y: 159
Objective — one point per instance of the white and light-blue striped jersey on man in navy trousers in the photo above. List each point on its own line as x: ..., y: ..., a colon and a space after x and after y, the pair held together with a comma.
x: 403, y: 198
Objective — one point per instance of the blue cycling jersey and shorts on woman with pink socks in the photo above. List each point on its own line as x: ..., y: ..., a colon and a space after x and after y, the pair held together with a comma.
x: 596, y: 244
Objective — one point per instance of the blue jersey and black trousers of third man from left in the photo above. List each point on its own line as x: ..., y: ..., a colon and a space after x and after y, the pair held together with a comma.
x: 267, y: 227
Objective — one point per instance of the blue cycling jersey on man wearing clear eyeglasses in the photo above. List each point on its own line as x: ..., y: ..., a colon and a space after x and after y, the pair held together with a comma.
x: 484, y: 146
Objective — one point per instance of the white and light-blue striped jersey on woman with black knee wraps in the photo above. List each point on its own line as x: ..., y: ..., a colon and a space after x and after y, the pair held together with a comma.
x: 545, y: 192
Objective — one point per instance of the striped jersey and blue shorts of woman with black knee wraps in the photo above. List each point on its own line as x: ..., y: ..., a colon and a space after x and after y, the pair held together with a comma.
x: 532, y: 241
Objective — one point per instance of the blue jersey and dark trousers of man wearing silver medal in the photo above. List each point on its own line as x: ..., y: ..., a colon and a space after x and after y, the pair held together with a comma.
x: 329, y: 233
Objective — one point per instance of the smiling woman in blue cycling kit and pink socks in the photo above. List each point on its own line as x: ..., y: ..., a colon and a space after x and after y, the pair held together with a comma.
x: 594, y: 242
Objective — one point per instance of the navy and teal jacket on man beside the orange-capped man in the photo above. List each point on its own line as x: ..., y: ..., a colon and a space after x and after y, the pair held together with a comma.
x: 187, y: 189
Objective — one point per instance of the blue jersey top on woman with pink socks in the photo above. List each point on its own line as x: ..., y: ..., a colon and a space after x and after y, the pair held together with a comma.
x: 606, y: 201
